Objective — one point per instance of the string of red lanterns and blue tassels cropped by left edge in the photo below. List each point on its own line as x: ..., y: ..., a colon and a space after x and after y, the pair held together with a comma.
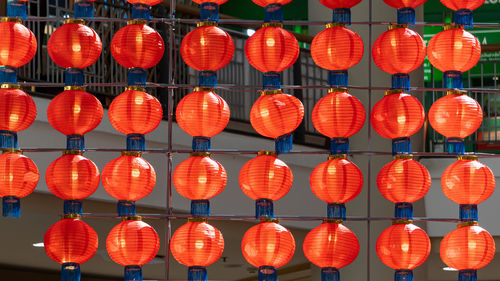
x: 18, y: 174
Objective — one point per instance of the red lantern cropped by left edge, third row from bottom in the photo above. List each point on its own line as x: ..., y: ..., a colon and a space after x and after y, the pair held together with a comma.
x: 17, y: 110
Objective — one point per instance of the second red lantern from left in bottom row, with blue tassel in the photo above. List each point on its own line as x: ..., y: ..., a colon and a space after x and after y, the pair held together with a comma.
x: 132, y: 243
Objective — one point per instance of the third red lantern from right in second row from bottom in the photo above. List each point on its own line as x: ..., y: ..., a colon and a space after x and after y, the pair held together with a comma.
x: 340, y: 173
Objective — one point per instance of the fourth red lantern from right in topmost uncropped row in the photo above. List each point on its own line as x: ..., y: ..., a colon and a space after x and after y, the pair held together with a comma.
x: 272, y: 48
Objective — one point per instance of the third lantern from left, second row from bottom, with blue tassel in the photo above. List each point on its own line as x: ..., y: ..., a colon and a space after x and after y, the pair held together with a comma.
x: 128, y: 178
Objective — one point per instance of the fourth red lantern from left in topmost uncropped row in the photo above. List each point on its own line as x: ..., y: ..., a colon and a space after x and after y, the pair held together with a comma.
x: 207, y: 48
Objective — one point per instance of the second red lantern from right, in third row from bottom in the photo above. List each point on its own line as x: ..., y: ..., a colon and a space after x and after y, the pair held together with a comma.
x: 397, y: 115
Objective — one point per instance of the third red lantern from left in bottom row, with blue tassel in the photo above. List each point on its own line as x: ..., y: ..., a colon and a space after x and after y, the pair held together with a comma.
x: 197, y: 244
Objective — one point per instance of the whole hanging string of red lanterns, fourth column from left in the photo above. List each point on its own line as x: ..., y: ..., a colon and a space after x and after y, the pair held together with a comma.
x: 202, y: 114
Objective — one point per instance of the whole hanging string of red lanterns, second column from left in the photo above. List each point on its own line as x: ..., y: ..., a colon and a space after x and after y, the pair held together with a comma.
x: 74, y: 112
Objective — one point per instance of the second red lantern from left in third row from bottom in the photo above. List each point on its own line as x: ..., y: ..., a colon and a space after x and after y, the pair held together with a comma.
x: 74, y: 112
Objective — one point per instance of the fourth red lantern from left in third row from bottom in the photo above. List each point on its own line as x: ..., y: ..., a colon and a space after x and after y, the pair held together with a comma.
x: 202, y: 114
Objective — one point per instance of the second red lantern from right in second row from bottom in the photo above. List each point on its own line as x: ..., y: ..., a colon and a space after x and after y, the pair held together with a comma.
x: 403, y: 180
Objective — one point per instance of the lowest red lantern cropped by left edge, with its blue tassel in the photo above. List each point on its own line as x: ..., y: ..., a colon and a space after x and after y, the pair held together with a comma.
x: 18, y: 178
